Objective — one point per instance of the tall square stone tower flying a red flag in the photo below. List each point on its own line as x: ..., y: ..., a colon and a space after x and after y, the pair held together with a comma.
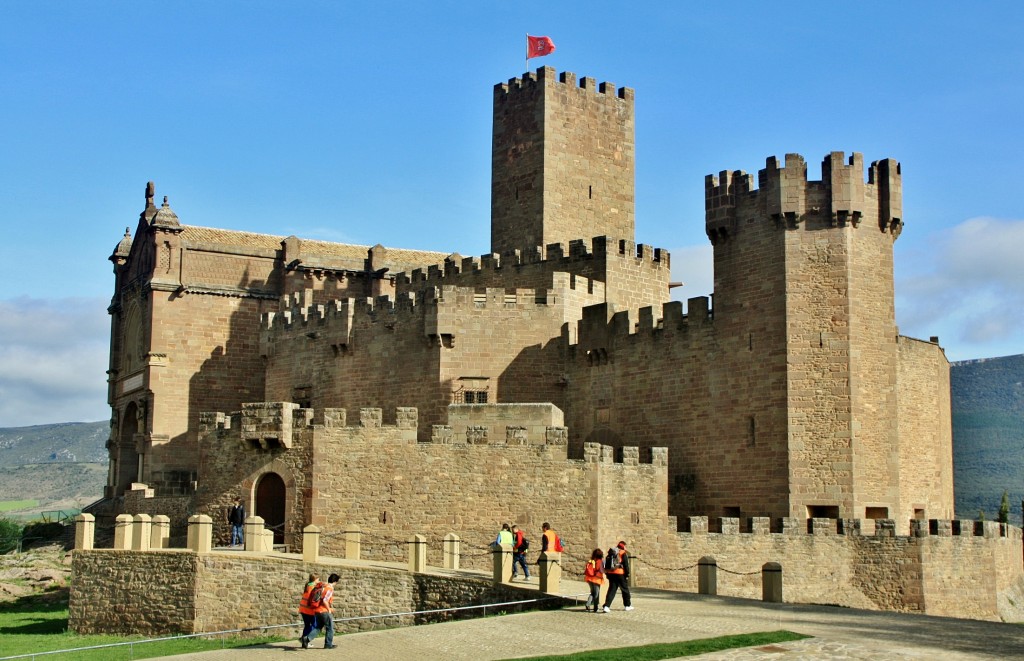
x: 563, y: 162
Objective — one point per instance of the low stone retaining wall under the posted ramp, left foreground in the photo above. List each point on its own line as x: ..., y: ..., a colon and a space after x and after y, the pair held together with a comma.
x: 178, y: 592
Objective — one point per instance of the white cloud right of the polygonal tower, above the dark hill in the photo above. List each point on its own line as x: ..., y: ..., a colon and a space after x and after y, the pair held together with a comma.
x: 968, y: 289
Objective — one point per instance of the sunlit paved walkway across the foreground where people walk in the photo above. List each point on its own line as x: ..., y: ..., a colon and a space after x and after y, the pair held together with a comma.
x: 665, y: 618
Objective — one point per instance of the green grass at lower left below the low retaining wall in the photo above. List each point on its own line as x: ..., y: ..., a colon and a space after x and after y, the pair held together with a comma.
x: 34, y: 625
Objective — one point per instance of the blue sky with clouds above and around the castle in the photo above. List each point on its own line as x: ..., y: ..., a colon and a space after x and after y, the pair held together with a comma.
x: 370, y: 123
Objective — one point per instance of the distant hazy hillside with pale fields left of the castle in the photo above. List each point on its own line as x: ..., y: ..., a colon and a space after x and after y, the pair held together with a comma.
x: 50, y: 468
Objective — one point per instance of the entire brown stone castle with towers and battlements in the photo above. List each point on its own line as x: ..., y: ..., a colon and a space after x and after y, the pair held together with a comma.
x: 236, y: 358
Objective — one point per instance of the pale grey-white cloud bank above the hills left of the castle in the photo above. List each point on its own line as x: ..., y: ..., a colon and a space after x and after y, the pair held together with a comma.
x: 54, y: 359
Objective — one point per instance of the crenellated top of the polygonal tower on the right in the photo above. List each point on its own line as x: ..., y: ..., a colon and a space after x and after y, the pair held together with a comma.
x: 787, y: 197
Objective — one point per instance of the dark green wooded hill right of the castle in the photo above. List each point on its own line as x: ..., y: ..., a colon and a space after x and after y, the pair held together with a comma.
x: 989, y: 435
